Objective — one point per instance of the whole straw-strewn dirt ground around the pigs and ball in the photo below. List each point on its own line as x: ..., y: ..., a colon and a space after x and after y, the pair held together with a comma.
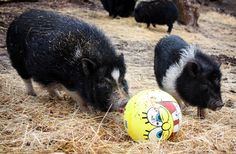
x: 40, y: 125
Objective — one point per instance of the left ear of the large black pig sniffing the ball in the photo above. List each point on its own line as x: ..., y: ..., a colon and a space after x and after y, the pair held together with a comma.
x: 88, y: 66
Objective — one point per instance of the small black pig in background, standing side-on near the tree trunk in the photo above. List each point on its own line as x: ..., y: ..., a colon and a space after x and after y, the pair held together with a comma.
x: 161, y: 12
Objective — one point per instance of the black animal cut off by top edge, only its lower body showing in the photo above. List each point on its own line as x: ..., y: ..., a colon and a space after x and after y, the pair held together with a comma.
x: 122, y: 8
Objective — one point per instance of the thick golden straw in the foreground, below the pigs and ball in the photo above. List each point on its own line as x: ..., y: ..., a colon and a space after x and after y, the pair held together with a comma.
x: 38, y: 124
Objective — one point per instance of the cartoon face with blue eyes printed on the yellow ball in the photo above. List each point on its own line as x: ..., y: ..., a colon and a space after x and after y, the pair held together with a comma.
x: 162, y: 119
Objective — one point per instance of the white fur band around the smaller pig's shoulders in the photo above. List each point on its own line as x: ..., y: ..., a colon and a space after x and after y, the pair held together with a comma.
x: 174, y: 71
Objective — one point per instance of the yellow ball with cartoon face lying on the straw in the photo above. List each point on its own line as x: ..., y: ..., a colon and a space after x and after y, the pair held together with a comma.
x: 152, y: 115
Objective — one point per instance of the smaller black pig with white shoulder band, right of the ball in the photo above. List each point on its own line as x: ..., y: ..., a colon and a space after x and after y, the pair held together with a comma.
x: 187, y: 73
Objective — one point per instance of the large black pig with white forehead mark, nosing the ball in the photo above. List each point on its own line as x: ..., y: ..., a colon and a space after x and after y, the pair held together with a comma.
x: 59, y: 50
